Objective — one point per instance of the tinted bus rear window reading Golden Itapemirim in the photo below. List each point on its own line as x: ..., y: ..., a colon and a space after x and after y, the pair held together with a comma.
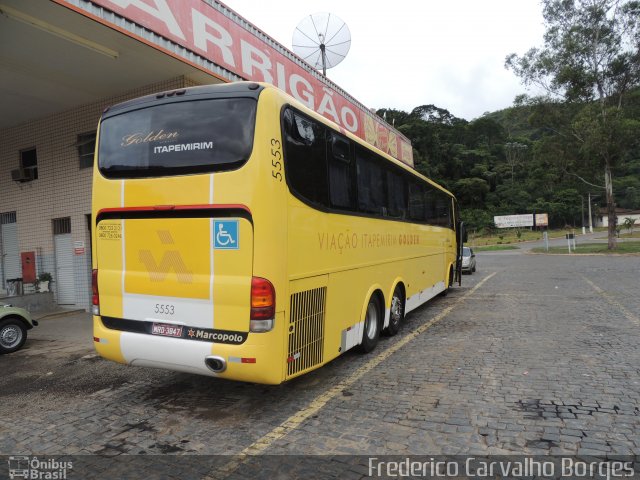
x: 178, y: 138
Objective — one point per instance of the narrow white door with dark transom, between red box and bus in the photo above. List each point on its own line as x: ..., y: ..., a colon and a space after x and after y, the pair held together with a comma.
x: 63, y: 243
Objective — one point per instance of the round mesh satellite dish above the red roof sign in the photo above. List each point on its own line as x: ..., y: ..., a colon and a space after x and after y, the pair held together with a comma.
x: 322, y: 39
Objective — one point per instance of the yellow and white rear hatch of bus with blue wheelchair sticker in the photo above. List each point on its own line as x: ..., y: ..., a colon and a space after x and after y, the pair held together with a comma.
x: 194, y: 272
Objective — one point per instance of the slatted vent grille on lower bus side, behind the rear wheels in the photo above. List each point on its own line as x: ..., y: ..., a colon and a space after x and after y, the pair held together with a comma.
x: 306, y: 330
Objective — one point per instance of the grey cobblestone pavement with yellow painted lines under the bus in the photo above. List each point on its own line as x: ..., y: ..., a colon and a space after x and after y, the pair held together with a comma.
x: 541, y: 358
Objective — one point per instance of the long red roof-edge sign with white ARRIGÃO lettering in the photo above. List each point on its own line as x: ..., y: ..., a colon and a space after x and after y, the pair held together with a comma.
x: 204, y: 30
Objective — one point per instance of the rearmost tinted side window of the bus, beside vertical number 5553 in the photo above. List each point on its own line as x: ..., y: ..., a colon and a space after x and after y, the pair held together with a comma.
x: 305, y: 158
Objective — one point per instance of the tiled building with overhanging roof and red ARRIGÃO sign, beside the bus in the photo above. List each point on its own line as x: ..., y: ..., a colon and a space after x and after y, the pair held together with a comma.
x: 62, y: 62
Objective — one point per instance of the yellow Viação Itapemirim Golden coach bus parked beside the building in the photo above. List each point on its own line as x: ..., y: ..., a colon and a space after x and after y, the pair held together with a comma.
x: 240, y: 235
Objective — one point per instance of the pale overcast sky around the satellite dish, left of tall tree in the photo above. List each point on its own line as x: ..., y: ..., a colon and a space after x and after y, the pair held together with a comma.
x: 408, y: 53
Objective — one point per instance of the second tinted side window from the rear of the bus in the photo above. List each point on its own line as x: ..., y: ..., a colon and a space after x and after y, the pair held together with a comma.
x: 341, y: 185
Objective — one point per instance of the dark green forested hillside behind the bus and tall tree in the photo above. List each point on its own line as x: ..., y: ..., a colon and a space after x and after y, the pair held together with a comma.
x: 521, y: 159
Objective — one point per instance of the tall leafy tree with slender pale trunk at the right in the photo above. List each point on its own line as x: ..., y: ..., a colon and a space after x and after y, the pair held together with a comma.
x: 591, y: 55
